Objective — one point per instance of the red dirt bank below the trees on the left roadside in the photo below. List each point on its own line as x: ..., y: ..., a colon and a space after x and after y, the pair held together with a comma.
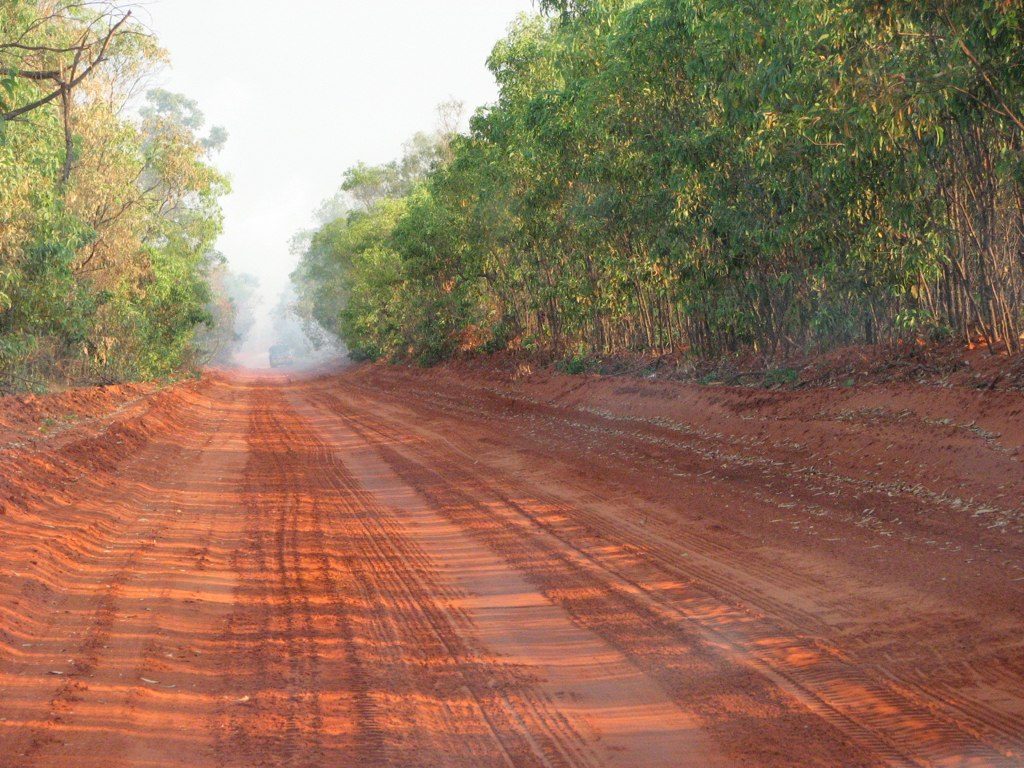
x: 64, y: 452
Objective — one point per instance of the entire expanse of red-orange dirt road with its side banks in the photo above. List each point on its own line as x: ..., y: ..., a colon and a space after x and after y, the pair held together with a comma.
x: 456, y: 568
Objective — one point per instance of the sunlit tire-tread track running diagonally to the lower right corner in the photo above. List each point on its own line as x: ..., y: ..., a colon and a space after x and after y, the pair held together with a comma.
x: 895, y: 729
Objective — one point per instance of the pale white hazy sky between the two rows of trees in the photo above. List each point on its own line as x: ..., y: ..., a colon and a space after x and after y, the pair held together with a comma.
x: 310, y: 88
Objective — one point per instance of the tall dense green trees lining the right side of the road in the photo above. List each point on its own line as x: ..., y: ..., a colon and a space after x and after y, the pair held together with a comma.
x: 708, y: 176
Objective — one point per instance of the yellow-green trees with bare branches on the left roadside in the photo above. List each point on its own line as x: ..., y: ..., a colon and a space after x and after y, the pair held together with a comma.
x: 109, y: 205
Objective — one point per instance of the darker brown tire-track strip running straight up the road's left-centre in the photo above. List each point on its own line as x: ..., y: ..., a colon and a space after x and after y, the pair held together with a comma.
x: 277, y: 638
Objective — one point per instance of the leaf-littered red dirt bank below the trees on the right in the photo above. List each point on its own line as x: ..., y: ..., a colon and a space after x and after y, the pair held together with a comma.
x: 958, y: 448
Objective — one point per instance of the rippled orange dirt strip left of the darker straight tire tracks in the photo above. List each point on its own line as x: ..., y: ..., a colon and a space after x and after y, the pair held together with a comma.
x: 113, y: 588
